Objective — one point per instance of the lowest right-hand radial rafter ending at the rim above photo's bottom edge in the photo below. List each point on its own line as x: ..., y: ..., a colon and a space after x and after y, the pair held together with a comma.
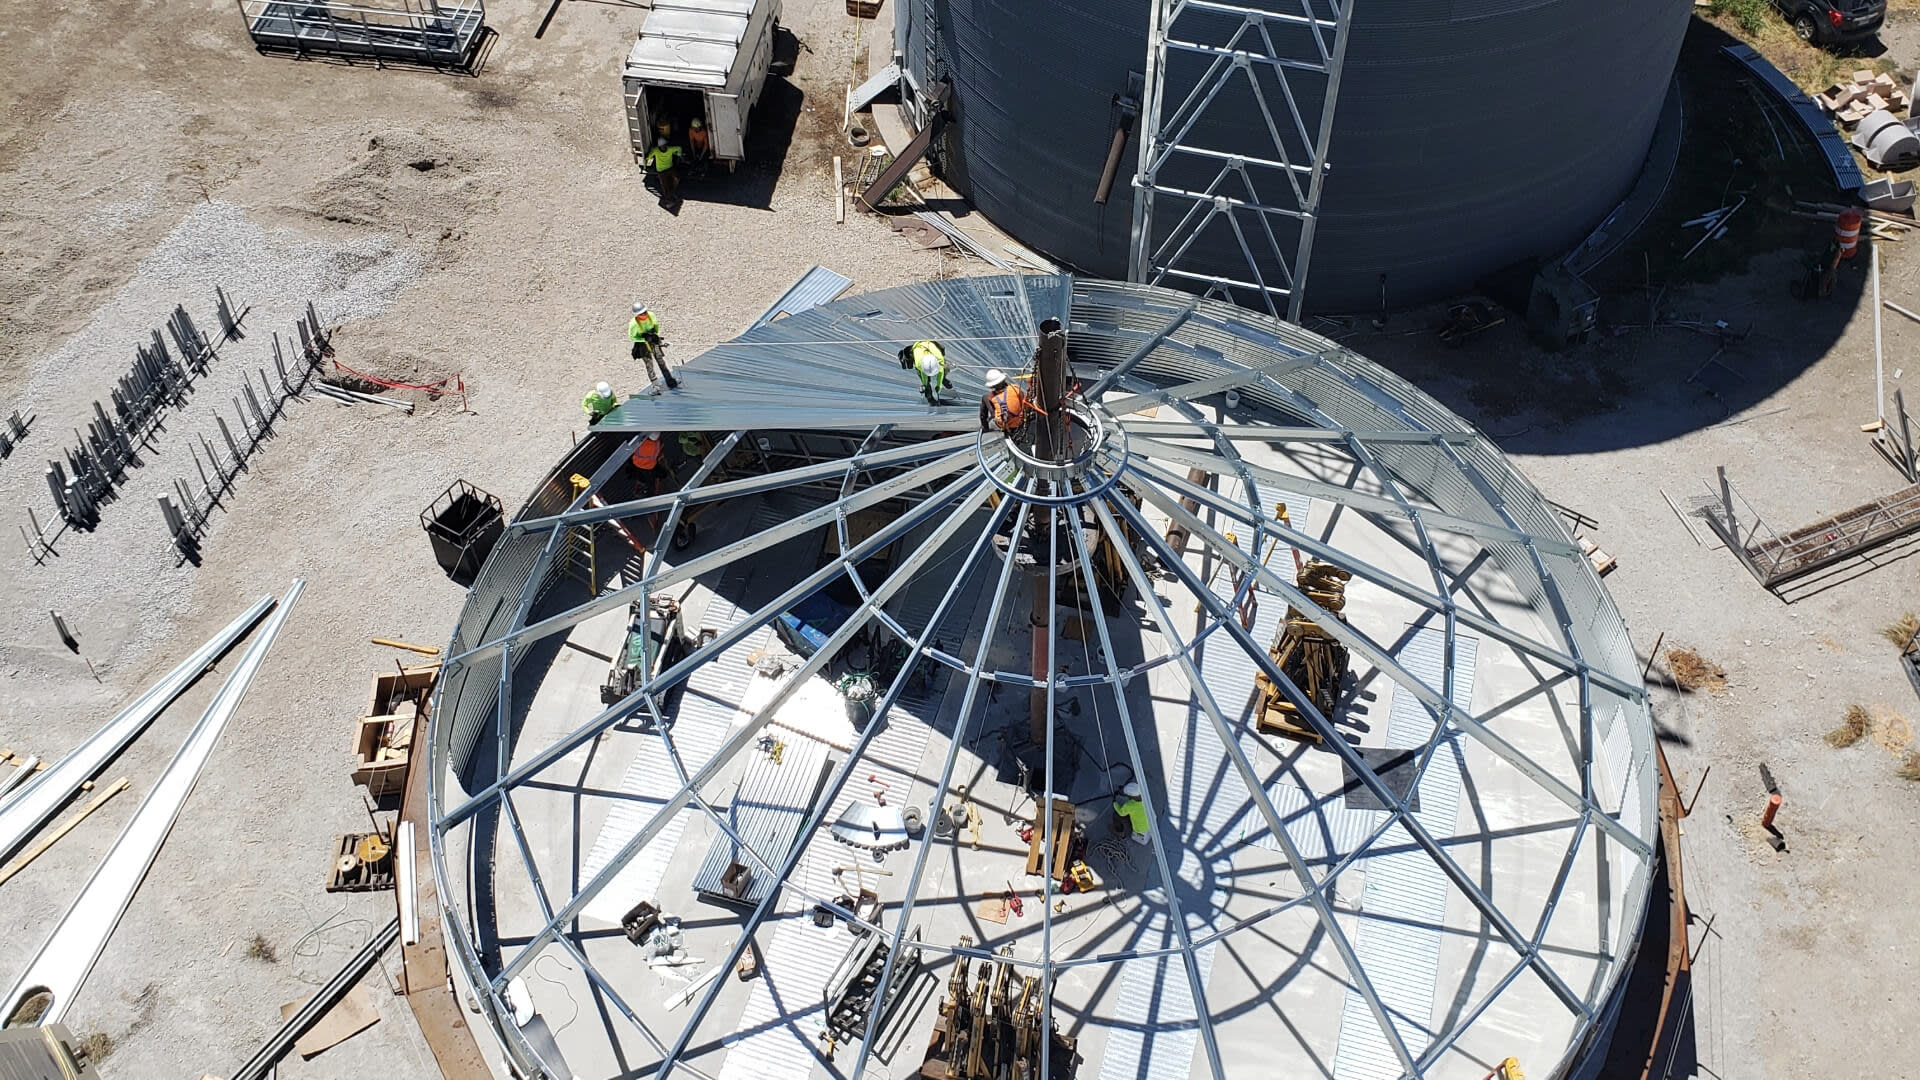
x: 1351, y: 758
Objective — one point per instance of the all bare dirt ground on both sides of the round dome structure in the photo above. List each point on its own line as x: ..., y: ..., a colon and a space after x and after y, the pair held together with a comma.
x: 147, y: 155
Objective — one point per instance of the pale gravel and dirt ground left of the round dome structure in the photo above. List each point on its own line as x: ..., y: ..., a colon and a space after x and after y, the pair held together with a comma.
x: 512, y: 262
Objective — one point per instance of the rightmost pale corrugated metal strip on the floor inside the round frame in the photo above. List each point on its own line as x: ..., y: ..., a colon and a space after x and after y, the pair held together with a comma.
x: 1406, y: 891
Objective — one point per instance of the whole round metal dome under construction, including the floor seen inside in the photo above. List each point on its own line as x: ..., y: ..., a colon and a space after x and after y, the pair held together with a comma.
x: 754, y: 804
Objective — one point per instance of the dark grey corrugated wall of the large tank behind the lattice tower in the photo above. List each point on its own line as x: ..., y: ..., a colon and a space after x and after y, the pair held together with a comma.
x: 1470, y: 134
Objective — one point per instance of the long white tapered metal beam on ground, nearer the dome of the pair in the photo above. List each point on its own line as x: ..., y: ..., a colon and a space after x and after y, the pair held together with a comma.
x: 70, y: 952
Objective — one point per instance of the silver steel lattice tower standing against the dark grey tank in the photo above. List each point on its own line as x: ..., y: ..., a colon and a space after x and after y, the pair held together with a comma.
x: 1230, y: 184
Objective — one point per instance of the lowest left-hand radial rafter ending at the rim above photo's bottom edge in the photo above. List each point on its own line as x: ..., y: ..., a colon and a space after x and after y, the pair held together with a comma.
x: 746, y: 735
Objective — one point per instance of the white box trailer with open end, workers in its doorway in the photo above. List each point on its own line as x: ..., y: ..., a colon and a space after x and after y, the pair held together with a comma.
x: 700, y: 59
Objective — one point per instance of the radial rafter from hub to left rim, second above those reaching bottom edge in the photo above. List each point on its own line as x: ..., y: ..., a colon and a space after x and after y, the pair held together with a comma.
x: 963, y: 489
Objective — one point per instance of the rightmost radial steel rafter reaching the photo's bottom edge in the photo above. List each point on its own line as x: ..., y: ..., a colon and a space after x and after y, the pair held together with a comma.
x: 1255, y: 787
